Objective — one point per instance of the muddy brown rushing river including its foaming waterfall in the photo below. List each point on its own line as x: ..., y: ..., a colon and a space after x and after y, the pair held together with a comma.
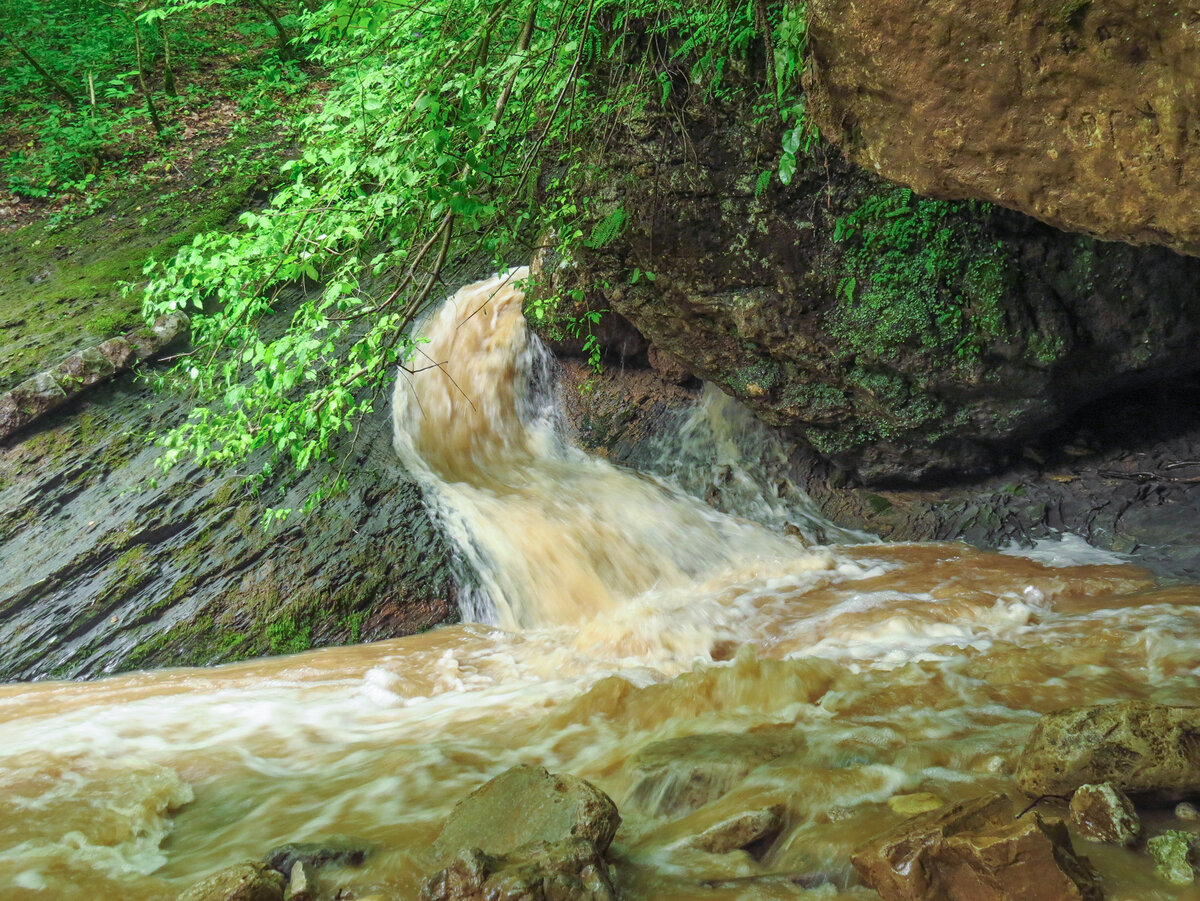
x: 620, y: 612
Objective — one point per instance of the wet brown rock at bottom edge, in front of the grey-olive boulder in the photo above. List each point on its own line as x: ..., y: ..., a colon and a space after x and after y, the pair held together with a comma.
x: 571, y: 870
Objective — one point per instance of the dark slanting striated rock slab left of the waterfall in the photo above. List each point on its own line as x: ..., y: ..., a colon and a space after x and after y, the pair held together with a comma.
x: 109, y: 564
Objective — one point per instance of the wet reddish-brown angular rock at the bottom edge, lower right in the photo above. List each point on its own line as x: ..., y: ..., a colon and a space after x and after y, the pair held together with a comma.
x: 976, y: 851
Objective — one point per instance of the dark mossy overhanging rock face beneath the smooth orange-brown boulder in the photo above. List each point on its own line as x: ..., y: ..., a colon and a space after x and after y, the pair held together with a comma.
x: 904, y: 339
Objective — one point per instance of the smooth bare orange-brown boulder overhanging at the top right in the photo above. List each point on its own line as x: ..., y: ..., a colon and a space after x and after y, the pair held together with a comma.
x: 1083, y: 115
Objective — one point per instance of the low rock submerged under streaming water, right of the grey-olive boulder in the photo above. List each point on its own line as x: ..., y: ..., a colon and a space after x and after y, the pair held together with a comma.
x: 680, y: 776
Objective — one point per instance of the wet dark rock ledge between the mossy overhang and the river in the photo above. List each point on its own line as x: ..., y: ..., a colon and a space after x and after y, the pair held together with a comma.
x: 1125, y: 477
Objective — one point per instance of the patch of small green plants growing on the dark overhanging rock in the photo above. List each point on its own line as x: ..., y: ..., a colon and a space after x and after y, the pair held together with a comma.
x: 917, y: 279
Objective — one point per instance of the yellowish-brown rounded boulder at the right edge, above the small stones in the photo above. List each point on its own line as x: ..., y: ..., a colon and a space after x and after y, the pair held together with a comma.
x: 1142, y: 748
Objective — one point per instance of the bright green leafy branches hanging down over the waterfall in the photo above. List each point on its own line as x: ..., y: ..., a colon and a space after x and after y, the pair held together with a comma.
x: 453, y: 134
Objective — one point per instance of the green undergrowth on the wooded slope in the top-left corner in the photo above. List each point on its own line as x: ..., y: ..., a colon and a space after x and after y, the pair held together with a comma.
x: 87, y: 82
